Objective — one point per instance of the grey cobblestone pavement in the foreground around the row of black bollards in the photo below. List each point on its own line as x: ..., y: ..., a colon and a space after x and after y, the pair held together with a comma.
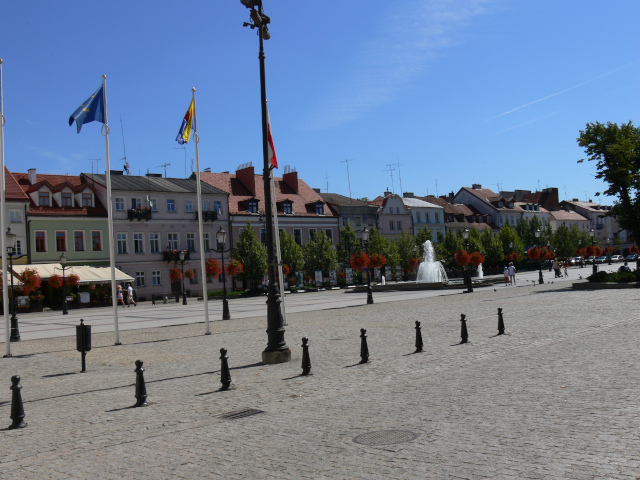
x: 557, y: 397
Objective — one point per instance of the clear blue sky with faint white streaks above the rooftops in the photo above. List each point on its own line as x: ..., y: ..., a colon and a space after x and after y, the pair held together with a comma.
x: 456, y: 92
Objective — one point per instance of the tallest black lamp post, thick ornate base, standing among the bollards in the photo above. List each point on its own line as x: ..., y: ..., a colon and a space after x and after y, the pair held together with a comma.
x: 277, y: 350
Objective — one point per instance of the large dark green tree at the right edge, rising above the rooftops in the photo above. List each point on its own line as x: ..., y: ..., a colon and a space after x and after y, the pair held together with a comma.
x: 616, y: 149
